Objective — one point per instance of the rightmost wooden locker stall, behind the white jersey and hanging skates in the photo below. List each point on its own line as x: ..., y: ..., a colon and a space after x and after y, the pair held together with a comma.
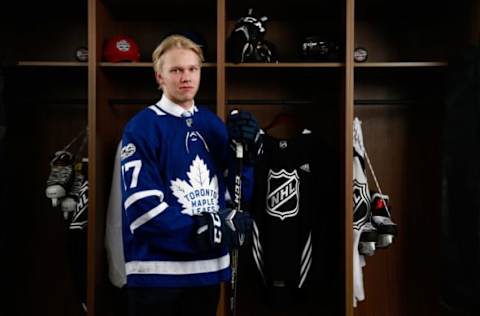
x: 399, y: 96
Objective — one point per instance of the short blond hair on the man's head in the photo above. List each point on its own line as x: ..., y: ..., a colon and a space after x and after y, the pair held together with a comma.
x: 174, y: 41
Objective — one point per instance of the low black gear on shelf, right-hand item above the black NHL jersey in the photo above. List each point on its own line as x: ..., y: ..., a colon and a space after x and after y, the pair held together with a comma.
x: 316, y: 48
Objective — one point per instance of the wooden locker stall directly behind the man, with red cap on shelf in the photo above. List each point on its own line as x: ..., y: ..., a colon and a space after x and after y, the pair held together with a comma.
x: 119, y: 90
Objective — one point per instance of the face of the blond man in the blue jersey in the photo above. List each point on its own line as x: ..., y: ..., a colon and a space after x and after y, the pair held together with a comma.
x: 179, y: 76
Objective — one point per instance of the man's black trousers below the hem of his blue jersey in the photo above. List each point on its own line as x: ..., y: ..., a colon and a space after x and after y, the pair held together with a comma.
x: 197, y: 301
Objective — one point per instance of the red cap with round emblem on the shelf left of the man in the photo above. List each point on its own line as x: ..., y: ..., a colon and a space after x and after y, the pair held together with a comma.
x: 121, y: 48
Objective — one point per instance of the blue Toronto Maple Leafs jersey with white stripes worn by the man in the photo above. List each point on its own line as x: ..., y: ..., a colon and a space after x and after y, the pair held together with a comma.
x: 172, y: 168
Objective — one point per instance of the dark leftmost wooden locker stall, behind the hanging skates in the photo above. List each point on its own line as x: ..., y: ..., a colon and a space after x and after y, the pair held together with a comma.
x: 45, y: 96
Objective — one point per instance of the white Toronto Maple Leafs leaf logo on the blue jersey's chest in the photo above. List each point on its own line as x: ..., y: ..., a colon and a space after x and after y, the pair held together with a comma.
x: 200, y: 193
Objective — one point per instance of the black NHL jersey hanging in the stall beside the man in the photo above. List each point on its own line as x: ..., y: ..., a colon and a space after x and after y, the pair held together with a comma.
x: 282, y: 207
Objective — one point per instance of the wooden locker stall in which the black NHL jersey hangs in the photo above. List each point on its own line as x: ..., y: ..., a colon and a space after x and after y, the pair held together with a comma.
x: 312, y: 94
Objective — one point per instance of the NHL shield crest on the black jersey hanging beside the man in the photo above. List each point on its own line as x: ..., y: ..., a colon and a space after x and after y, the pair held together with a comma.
x: 283, y: 192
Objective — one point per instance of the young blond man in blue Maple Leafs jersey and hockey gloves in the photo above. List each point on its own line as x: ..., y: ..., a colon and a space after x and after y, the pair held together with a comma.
x: 177, y: 230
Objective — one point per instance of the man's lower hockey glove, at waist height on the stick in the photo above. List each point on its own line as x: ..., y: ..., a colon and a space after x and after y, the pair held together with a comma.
x: 227, y: 227
